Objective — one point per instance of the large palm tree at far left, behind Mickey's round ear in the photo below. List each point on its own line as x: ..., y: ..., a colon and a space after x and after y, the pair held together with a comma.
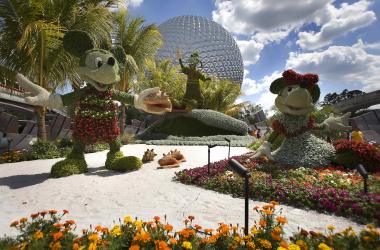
x: 31, y: 40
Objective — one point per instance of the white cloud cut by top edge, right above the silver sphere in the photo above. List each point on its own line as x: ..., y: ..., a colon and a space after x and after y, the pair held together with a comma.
x: 249, y: 17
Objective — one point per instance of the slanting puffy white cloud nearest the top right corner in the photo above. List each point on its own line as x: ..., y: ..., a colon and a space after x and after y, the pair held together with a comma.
x: 341, y: 21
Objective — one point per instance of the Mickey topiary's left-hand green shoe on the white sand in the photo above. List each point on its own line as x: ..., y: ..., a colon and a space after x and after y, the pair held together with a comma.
x: 68, y: 167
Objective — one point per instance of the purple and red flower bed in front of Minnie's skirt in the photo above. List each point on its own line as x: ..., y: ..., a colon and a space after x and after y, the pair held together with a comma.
x: 333, y: 190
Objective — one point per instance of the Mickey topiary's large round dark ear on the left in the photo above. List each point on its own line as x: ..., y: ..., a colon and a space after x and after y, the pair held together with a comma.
x: 76, y: 42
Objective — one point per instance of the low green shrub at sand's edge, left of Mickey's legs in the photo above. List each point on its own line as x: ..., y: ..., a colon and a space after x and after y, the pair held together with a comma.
x: 43, y: 150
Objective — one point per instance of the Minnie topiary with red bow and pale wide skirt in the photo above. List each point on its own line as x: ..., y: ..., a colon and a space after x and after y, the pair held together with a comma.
x: 297, y: 95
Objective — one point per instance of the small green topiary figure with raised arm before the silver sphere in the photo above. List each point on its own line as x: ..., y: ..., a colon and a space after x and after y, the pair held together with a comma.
x: 193, y: 97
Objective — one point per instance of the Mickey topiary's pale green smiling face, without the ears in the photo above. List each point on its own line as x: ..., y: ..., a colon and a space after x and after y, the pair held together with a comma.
x: 99, y: 68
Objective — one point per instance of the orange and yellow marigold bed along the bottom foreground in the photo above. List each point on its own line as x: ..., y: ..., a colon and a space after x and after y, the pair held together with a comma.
x: 46, y: 230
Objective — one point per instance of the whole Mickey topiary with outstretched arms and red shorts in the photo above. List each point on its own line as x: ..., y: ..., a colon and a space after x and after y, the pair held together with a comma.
x: 95, y: 114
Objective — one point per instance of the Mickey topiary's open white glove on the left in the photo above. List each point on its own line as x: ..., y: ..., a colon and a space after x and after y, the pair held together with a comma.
x: 37, y: 95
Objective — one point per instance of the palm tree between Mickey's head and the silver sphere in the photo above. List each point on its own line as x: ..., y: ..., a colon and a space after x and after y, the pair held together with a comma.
x: 138, y: 41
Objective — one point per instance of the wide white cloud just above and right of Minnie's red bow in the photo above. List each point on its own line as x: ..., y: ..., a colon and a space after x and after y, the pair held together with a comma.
x: 340, y: 64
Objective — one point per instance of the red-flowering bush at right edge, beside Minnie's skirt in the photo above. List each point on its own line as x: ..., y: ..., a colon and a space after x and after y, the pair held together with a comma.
x: 351, y: 153
